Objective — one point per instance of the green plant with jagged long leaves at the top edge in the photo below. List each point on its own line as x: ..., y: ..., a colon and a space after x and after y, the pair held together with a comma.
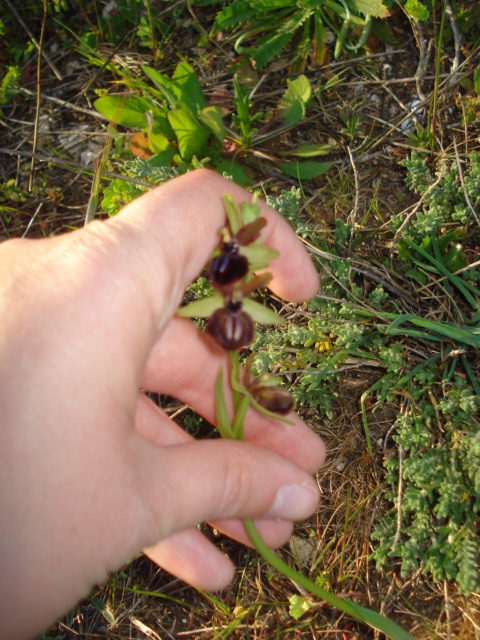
x: 271, y: 25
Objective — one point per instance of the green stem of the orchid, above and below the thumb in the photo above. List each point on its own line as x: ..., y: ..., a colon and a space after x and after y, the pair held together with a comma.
x: 235, y: 430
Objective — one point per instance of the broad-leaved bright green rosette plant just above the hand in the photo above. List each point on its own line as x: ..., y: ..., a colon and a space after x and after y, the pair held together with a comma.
x: 177, y: 130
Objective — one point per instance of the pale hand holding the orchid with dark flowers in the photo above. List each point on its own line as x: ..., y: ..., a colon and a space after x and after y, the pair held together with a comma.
x: 91, y: 471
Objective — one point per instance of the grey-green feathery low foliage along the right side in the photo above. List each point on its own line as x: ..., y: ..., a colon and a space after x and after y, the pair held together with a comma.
x: 433, y: 483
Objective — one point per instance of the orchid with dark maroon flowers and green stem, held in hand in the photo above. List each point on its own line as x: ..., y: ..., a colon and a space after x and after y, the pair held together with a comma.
x: 232, y: 275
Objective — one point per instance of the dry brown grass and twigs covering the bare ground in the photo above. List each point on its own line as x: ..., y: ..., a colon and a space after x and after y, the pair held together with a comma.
x: 43, y: 142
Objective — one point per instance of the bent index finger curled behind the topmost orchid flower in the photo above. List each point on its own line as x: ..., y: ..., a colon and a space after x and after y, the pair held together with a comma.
x: 182, y: 218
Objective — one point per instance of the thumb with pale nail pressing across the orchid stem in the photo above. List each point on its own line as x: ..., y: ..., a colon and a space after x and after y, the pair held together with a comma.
x: 189, y: 483
